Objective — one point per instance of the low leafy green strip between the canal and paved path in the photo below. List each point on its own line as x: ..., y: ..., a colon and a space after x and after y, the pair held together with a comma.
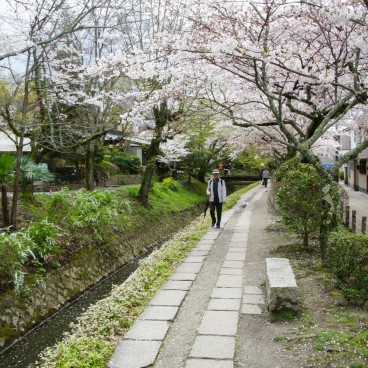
x: 94, y: 337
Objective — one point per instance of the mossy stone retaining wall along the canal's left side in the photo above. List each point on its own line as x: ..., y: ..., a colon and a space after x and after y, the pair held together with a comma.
x: 19, y: 313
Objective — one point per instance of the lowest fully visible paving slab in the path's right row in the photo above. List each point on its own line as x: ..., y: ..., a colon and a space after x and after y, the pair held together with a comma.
x: 215, y: 347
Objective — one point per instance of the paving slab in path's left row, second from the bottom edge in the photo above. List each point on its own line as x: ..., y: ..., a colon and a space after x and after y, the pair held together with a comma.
x: 148, y: 330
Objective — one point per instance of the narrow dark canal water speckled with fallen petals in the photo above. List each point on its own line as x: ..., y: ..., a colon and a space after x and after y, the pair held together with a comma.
x: 25, y: 351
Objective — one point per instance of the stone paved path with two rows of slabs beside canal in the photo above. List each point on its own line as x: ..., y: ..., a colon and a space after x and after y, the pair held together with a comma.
x: 193, y: 320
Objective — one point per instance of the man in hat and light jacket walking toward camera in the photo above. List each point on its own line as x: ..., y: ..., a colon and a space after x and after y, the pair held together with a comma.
x: 216, y: 191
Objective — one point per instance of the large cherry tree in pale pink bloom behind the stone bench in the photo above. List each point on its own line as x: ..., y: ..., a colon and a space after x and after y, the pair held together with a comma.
x: 290, y: 69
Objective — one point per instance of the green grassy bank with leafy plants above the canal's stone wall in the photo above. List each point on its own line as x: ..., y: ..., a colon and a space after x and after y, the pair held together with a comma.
x: 57, y: 227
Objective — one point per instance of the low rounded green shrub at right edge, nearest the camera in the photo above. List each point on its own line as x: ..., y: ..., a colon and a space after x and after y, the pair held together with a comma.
x: 347, y: 258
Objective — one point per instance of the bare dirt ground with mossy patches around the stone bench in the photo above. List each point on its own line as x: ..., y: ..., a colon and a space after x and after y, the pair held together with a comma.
x: 329, y: 331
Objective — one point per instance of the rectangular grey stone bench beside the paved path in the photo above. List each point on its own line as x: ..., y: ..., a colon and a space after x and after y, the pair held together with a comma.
x: 281, y: 288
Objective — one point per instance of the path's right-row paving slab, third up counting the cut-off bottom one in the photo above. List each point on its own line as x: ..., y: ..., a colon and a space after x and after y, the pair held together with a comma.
x: 219, y: 323
